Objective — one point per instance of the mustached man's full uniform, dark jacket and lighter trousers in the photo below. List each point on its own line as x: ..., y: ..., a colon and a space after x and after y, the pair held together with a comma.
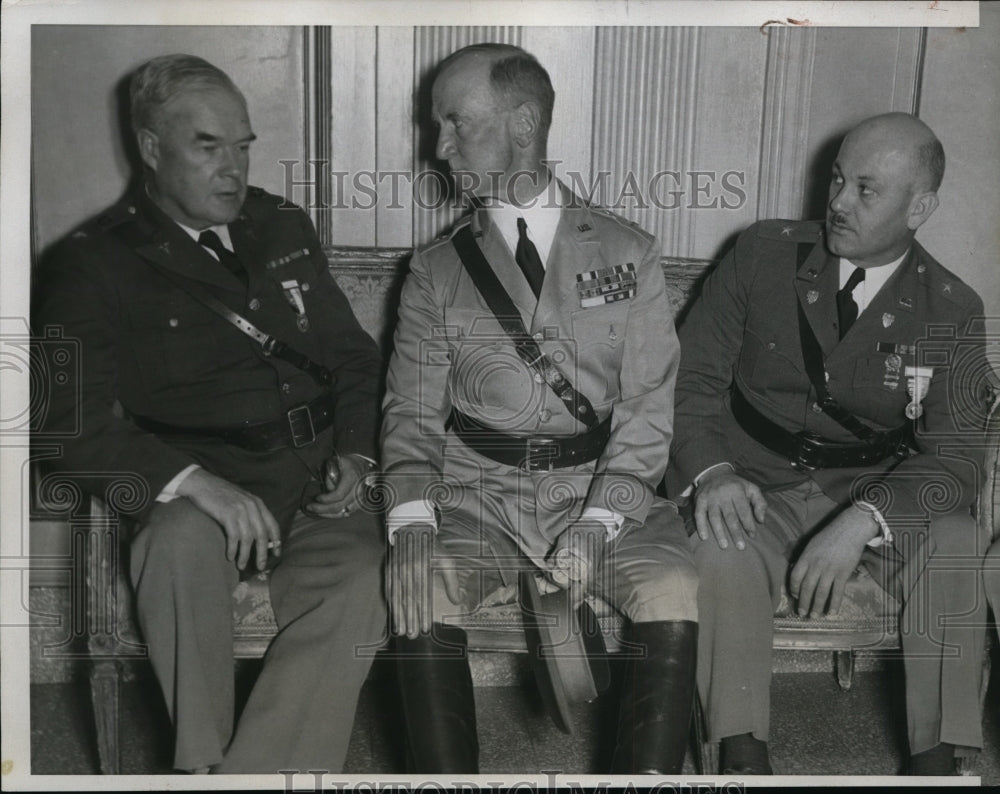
x: 744, y: 331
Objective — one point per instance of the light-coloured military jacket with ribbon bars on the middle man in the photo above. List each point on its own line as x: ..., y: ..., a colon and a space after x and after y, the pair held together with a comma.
x: 622, y: 354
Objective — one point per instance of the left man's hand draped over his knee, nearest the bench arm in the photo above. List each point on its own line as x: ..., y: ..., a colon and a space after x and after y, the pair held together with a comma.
x: 243, y: 517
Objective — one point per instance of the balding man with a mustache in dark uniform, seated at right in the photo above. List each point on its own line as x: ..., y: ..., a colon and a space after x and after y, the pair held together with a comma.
x: 817, y: 431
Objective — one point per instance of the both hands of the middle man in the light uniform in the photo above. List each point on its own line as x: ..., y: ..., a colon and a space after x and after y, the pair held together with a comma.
x: 570, y: 565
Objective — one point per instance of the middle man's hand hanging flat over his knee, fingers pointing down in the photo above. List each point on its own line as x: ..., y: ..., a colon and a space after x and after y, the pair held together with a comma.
x: 409, y: 580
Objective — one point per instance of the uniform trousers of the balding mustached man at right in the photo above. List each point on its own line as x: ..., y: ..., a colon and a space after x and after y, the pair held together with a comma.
x: 931, y: 568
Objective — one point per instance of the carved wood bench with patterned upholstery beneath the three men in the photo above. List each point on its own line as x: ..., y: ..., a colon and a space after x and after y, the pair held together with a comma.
x: 371, y: 279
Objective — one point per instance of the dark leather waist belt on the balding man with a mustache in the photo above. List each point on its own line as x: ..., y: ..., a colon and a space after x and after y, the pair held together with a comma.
x: 806, y: 450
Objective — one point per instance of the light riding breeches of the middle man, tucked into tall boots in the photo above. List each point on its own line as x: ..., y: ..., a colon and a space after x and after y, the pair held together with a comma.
x: 497, y: 520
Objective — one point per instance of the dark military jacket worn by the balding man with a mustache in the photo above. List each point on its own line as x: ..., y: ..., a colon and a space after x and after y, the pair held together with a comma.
x: 743, y: 330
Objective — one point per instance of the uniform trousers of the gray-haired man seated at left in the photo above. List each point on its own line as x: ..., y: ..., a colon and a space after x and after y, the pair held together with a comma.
x: 326, y: 592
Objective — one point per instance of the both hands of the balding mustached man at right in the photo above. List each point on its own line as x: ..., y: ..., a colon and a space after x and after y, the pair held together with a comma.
x: 731, y: 507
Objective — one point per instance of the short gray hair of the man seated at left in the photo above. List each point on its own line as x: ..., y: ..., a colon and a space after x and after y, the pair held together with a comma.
x: 160, y: 79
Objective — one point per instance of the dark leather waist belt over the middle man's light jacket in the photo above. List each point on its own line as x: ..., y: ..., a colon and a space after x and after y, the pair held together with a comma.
x: 531, y: 453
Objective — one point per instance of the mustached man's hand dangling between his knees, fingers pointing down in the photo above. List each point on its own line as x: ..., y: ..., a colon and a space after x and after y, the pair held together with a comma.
x: 828, y: 560
